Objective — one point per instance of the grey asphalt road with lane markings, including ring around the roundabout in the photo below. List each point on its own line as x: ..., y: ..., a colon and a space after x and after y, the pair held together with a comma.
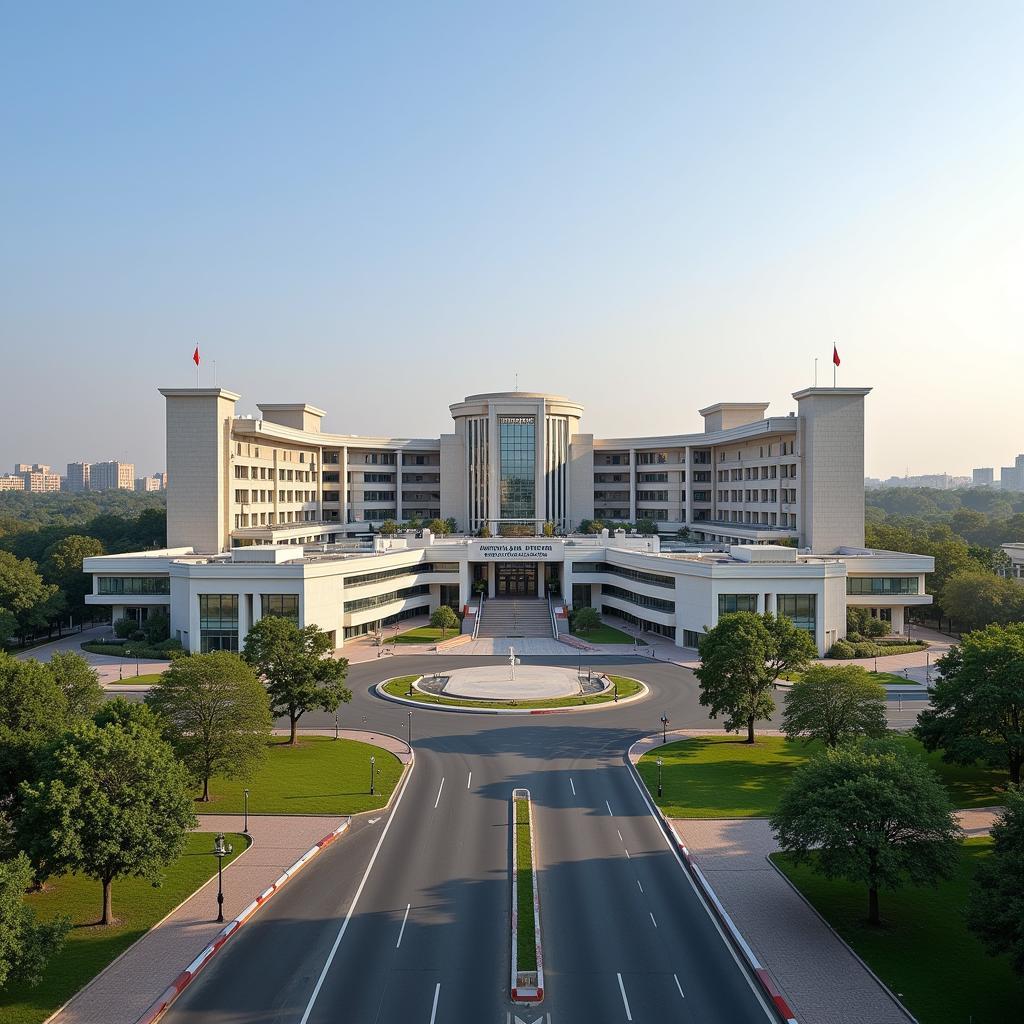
x: 626, y: 937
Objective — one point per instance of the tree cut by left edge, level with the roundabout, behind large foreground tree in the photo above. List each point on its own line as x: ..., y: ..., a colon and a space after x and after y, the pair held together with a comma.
x: 33, y: 713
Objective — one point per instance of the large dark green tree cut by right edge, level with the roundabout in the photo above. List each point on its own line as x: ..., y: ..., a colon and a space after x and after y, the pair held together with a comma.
x: 977, y: 711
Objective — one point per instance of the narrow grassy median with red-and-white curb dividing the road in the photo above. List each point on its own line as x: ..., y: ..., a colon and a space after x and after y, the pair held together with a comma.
x: 528, y: 964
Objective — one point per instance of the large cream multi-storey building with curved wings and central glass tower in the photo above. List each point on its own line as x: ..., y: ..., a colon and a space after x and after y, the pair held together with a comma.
x: 271, y: 516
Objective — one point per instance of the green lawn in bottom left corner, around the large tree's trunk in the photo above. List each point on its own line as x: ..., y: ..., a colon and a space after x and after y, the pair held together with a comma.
x: 138, y: 906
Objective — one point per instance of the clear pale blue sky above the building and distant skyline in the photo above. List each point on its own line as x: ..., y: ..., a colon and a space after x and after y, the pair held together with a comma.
x: 382, y: 208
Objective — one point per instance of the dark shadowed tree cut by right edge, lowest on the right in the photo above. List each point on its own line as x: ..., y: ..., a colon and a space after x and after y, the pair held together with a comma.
x: 996, y: 910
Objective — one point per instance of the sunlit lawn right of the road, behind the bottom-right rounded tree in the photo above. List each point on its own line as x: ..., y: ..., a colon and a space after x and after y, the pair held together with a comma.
x: 724, y: 778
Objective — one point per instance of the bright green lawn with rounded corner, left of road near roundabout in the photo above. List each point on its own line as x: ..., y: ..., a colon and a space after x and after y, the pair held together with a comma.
x: 319, y: 776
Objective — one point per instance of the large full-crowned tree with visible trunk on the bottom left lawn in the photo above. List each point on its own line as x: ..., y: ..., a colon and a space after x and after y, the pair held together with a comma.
x: 110, y: 802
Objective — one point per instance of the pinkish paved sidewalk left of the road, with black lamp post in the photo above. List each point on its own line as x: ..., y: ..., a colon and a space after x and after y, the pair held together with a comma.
x: 122, y: 993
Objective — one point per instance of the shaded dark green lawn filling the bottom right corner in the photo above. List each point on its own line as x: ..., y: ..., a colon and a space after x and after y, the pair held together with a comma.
x: 923, y: 952
